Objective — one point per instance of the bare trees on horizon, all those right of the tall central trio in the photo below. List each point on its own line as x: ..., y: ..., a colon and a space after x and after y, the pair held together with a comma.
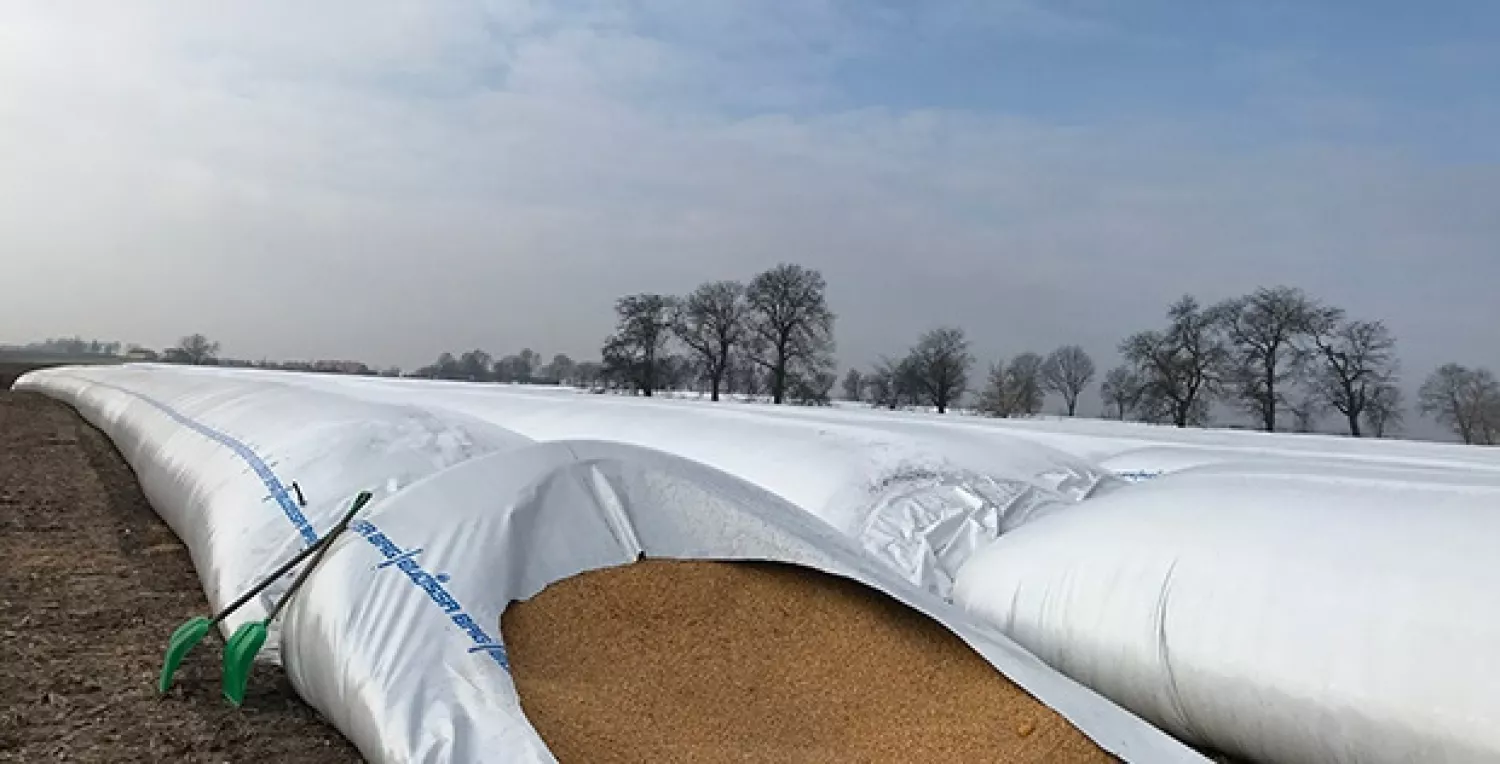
x: 1274, y: 355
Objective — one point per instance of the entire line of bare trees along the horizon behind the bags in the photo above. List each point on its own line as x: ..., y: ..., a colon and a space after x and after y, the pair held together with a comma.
x: 1276, y: 355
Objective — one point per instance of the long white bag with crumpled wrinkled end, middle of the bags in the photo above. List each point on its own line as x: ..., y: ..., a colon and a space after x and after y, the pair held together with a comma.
x: 917, y: 495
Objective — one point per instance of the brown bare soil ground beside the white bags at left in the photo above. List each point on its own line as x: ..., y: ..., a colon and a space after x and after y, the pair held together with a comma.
x: 92, y: 583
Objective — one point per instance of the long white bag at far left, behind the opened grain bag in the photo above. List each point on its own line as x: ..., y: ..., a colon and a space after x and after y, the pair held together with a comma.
x: 226, y: 489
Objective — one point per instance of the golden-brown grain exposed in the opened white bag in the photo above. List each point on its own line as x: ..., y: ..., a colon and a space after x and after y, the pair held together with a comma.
x: 707, y: 663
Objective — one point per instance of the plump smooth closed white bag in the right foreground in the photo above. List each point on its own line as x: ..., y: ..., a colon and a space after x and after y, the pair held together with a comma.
x: 1280, y: 612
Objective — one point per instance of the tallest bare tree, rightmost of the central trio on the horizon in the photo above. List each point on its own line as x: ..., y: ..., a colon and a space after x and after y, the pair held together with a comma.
x: 790, y: 322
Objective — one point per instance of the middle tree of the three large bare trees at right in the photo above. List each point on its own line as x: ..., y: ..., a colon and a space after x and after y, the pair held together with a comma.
x: 1265, y: 340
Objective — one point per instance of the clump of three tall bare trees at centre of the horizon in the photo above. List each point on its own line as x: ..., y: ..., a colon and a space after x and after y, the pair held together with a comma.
x: 773, y: 334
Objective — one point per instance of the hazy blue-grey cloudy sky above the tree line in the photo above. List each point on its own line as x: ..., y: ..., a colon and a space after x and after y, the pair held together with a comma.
x: 391, y: 179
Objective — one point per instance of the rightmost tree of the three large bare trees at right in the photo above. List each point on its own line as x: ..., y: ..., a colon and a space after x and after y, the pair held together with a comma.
x: 1354, y: 361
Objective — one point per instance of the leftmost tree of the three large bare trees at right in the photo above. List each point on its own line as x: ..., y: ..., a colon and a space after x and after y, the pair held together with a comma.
x: 1180, y: 368
